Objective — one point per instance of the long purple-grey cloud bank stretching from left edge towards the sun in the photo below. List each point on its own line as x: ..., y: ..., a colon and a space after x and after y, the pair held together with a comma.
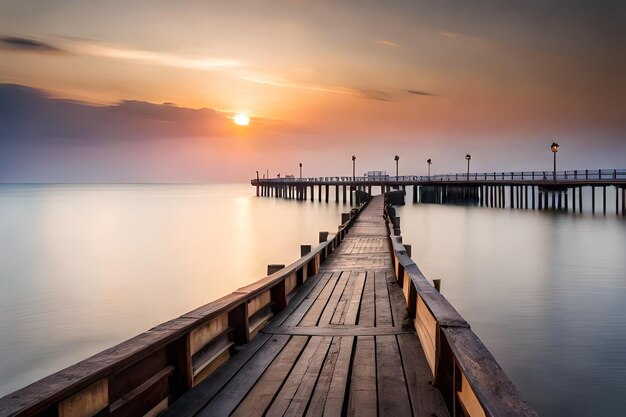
x: 28, y: 114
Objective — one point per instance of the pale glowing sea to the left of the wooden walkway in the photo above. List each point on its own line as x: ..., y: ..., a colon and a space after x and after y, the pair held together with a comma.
x: 84, y: 267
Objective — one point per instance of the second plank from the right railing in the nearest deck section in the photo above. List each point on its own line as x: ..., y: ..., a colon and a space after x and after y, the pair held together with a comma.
x: 393, y: 398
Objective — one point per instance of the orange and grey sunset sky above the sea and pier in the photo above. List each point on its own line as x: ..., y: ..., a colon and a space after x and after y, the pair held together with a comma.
x: 321, y: 80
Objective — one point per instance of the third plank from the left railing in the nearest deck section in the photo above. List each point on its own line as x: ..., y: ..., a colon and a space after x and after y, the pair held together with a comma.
x: 261, y: 395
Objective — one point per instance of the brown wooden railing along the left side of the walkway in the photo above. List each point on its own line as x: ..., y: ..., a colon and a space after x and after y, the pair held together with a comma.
x: 144, y: 375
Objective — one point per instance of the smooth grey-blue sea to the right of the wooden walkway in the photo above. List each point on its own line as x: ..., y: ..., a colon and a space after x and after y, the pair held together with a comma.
x: 545, y: 292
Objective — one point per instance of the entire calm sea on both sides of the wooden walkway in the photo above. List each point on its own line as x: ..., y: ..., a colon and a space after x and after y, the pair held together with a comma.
x: 546, y: 292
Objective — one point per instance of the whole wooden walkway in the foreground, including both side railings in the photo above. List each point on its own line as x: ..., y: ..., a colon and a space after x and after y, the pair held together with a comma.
x: 350, y: 329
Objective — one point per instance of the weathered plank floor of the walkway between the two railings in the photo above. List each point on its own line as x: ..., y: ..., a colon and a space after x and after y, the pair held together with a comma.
x: 339, y: 348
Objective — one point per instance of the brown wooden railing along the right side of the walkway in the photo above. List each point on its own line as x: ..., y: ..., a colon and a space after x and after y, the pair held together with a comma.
x: 467, y: 375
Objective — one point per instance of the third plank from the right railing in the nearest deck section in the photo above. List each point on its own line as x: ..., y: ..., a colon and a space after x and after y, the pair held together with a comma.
x: 363, y: 398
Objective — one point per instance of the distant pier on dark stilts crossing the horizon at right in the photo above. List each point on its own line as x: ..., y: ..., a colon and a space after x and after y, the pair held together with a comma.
x: 535, y: 190
